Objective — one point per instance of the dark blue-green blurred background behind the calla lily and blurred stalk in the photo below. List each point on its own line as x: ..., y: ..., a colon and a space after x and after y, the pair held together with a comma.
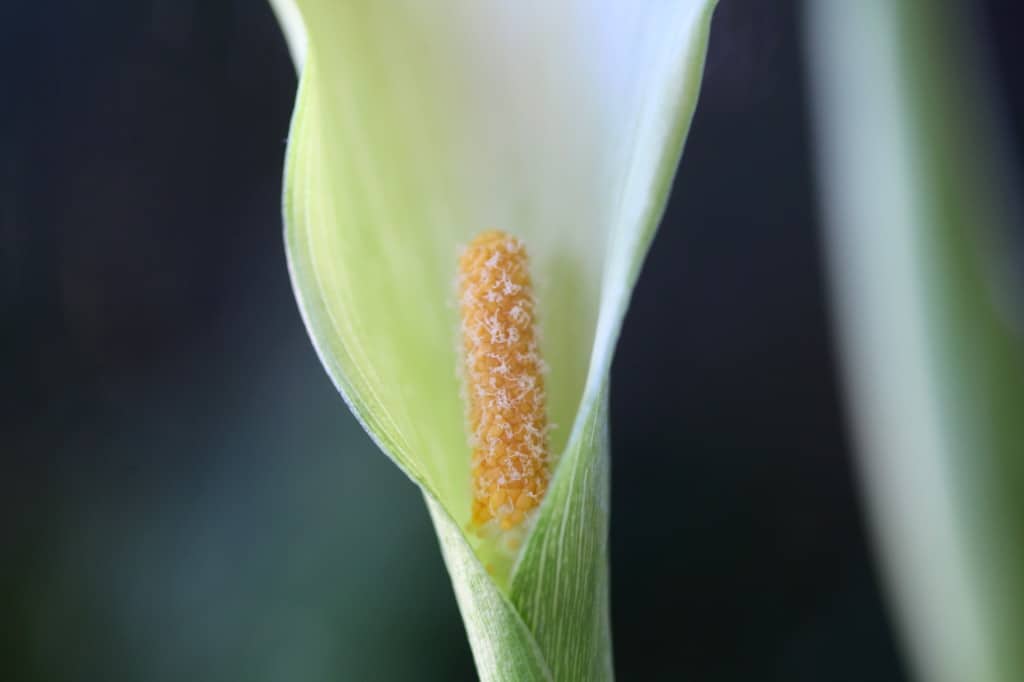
x: 185, y: 496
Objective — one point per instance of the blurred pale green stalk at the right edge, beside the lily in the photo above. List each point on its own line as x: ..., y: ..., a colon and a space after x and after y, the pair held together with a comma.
x: 930, y: 323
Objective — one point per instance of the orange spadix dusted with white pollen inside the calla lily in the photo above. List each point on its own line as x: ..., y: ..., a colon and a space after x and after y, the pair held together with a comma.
x: 504, y: 382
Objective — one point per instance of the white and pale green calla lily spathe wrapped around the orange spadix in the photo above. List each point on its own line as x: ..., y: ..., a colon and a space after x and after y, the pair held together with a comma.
x: 419, y: 125
